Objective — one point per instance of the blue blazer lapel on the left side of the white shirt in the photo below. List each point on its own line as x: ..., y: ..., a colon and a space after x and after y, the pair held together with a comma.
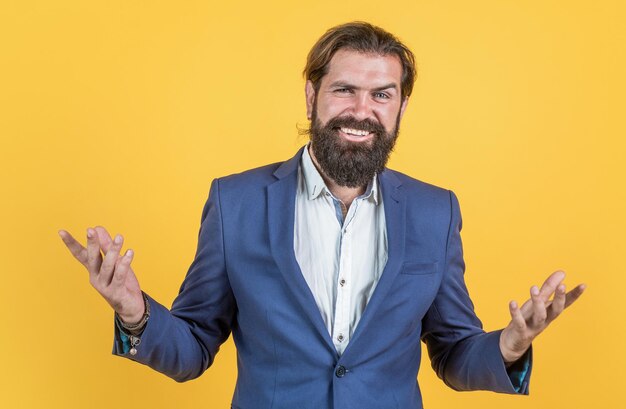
x: 281, y: 196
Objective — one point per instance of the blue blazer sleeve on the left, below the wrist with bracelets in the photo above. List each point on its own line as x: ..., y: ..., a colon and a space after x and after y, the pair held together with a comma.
x: 182, y: 342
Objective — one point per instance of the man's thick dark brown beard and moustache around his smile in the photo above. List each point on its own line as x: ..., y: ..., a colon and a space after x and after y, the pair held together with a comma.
x: 347, y: 163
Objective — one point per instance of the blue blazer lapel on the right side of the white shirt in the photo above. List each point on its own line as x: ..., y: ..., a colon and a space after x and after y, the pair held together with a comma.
x: 395, y: 218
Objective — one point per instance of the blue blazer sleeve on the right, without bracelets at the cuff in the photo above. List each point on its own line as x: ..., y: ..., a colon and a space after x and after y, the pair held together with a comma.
x: 462, y: 354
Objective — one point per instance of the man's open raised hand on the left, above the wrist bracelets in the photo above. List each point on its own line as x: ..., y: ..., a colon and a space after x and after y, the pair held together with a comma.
x: 112, y: 275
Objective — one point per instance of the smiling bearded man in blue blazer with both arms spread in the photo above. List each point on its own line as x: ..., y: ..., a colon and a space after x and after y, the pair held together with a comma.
x: 328, y: 268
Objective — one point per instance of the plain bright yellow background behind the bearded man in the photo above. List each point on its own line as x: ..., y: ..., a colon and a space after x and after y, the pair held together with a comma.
x: 120, y: 113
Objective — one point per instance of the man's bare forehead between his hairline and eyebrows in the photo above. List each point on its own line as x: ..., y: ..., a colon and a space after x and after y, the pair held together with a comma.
x: 363, y: 69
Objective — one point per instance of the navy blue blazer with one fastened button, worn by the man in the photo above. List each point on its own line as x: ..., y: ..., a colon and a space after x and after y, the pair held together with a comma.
x: 245, y: 279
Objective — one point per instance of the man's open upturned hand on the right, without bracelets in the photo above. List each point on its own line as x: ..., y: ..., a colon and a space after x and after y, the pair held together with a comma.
x: 535, y: 315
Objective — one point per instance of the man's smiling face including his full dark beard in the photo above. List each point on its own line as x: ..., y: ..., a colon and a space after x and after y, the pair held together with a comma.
x: 355, y: 115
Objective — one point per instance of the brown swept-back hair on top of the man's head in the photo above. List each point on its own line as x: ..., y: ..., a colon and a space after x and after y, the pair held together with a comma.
x: 362, y: 37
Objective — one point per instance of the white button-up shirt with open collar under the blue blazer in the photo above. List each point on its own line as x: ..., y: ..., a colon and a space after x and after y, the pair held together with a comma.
x: 341, y: 258
